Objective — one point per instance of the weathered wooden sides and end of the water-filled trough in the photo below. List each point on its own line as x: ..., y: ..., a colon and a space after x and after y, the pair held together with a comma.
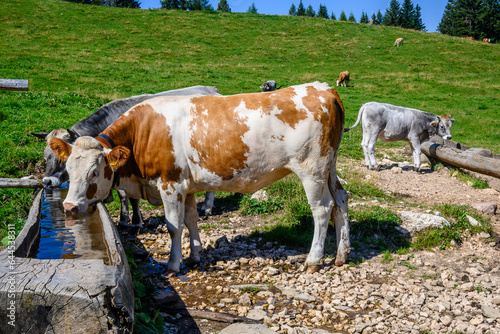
x: 65, y: 295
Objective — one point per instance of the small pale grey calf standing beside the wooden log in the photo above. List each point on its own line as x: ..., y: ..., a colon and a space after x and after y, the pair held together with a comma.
x: 392, y: 123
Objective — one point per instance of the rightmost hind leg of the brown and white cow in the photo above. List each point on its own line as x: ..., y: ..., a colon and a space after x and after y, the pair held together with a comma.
x: 340, y: 217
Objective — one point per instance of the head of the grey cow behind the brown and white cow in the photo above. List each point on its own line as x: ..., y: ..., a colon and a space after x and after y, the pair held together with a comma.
x: 55, y: 171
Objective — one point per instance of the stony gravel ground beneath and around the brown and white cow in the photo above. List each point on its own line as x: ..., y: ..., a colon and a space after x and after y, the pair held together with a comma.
x: 456, y: 290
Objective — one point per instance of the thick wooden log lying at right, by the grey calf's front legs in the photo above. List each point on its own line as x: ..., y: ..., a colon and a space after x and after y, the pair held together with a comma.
x: 463, y: 159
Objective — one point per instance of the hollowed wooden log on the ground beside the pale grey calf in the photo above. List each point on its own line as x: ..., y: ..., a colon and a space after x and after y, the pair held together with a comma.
x: 475, y: 159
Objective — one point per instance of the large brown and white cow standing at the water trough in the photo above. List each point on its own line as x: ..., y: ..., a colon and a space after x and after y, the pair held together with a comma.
x: 168, y: 148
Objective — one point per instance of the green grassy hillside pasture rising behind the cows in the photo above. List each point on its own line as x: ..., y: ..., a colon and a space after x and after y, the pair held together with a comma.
x: 78, y: 57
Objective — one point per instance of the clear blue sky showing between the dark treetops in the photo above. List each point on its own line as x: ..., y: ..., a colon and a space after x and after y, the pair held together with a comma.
x: 432, y: 10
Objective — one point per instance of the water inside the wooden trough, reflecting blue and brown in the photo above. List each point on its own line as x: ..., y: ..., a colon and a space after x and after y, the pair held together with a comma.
x: 68, y: 237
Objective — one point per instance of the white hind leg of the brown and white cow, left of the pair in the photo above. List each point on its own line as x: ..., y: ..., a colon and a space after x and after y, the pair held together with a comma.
x: 321, y: 202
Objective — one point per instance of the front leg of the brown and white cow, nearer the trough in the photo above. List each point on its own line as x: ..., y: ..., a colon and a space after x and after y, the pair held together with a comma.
x: 174, y: 217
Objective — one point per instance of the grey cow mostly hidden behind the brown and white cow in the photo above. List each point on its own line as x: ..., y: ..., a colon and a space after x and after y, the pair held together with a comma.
x: 55, y: 172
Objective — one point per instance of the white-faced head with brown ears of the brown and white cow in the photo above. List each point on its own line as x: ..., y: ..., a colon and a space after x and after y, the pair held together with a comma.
x: 90, y: 168
